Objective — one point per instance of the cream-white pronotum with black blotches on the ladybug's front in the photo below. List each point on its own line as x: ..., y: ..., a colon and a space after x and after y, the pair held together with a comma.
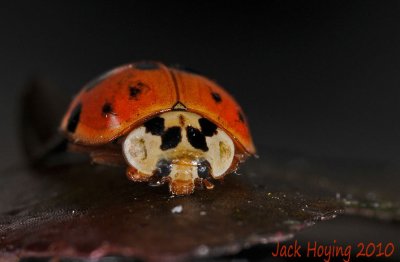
x: 182, y: 139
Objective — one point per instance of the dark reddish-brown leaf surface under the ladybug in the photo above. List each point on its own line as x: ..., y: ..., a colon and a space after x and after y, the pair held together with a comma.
x: 90, y: 211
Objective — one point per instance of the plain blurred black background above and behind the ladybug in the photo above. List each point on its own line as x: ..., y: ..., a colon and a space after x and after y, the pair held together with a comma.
x: 316, y: 77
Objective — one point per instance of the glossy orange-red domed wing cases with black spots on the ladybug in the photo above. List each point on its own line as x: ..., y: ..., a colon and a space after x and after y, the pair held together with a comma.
x: 123, y: 98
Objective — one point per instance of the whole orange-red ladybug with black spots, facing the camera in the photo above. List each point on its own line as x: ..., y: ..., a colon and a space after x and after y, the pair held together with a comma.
x: 165, y: 124
